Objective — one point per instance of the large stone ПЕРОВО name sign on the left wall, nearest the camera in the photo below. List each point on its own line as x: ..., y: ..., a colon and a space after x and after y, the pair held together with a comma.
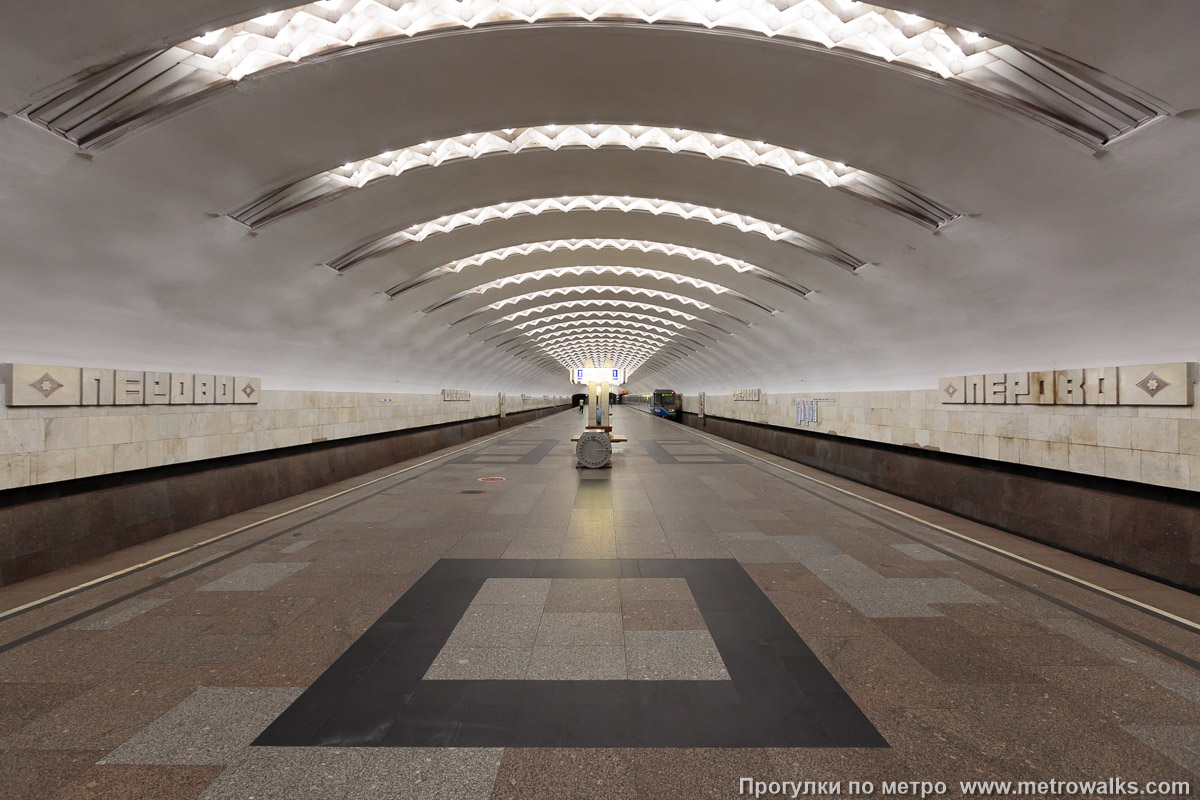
x: 39, y: 384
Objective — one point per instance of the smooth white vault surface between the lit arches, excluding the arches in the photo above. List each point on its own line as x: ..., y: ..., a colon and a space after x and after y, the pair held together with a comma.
x: 1069, y: 258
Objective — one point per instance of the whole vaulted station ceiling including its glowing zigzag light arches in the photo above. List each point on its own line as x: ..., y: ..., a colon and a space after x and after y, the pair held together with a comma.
x: 365, y: 195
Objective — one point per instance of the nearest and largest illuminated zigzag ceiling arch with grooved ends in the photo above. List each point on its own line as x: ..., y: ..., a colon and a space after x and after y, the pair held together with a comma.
x: 99, y: 110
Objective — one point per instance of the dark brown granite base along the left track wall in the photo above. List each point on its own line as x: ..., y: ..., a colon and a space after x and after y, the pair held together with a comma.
x: 46, y: 528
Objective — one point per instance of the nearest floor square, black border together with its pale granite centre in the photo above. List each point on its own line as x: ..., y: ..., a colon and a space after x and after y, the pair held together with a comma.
x: 578, y: 653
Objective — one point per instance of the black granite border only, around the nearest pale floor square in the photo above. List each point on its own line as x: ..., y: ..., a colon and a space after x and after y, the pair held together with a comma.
x: 779, y: 694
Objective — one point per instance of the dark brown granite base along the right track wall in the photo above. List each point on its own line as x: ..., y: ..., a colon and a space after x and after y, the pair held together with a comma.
x: 1148, y: 530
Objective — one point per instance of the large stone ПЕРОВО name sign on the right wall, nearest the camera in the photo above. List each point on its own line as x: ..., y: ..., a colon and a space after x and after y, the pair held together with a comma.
x: 1149, y: 384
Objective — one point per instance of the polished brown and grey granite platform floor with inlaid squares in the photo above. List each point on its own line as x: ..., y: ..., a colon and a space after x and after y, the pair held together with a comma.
x: 698, y: 615
